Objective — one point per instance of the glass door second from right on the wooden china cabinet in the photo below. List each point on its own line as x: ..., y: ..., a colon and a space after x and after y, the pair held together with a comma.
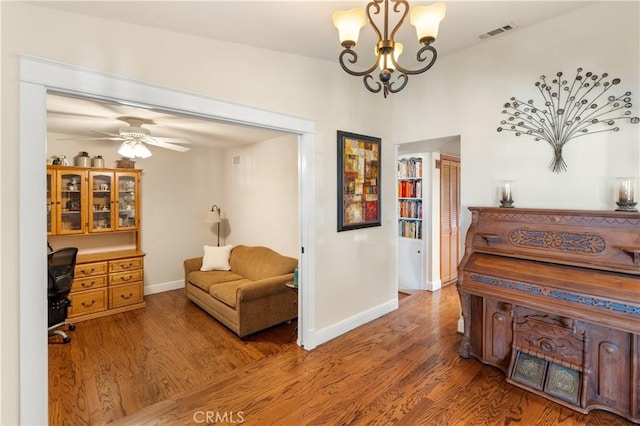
x: 100, y: 202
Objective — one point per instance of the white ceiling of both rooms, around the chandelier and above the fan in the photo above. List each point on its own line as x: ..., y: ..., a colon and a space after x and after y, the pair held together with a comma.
x: 304, y: 29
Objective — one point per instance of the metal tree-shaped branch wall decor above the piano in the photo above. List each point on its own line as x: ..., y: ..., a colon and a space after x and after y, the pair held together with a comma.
x: 569, y: 111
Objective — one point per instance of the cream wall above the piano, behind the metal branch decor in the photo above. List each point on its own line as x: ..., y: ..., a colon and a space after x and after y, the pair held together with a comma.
x: 465, y: 92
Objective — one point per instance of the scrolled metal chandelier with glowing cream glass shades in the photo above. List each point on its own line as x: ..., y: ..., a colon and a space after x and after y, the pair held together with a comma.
x: 426, y: 19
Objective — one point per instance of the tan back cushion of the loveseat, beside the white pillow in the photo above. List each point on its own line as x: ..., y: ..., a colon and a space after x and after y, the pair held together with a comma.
x: 258, y: 262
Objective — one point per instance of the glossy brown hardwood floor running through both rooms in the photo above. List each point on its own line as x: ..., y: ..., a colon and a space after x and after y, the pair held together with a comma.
x: 171, y: 364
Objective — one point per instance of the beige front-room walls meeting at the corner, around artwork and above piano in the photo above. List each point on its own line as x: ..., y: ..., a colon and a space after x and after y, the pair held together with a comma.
x: 461, y: 95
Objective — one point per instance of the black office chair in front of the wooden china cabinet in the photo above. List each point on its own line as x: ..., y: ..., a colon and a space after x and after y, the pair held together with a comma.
x: 62, y: 265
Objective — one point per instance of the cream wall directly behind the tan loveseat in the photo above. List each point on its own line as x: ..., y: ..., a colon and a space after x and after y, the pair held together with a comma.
x: 260, y: 205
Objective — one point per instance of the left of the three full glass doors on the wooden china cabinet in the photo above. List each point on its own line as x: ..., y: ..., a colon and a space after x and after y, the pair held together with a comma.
x: 71, y: 189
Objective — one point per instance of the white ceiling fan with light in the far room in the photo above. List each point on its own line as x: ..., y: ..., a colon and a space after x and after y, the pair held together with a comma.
x: 134, y: 137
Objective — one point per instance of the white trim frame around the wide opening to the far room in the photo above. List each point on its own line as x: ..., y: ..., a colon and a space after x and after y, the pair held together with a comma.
x: 38, y: 76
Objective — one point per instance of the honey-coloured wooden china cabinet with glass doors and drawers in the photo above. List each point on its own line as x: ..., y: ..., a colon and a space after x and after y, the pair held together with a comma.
x: 96, y: 209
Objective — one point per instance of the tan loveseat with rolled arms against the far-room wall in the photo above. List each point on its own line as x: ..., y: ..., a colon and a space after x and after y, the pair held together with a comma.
x: 251, y: 296
